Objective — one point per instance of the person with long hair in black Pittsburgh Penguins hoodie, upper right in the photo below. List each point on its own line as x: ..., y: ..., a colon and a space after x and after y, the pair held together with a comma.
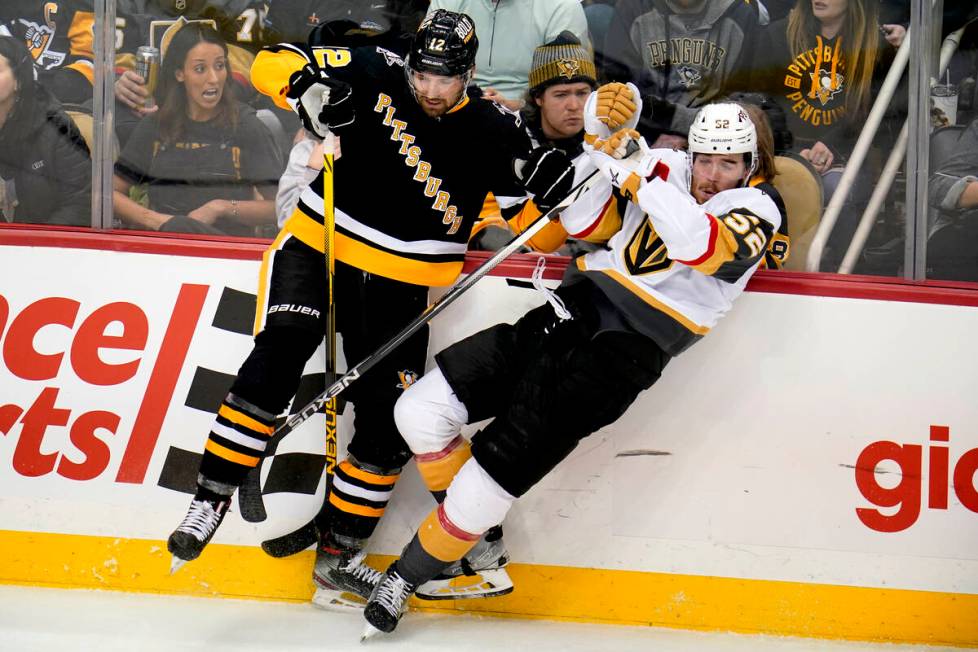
x: 818, y: 65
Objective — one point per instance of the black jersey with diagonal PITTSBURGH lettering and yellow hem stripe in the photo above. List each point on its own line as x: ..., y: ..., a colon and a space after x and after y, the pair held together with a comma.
x: 408, y: 187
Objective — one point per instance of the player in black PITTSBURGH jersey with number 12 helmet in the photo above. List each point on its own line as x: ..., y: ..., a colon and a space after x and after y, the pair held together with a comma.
x: 405, y: 203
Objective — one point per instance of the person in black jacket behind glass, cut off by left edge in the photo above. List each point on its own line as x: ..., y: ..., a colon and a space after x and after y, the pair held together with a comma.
x: 45, y: 168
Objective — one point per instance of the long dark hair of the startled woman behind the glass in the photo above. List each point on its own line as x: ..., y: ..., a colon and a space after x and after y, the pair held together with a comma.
x: 172, y: 93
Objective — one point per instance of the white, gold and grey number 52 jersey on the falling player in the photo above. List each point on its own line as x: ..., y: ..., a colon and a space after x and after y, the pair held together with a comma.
x: 672, y: 267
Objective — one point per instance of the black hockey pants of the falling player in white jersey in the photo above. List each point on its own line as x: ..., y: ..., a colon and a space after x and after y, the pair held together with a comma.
x: 549, y: 383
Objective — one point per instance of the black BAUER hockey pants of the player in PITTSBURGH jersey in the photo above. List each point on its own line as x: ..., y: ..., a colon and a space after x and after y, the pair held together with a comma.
x: 369, y: 311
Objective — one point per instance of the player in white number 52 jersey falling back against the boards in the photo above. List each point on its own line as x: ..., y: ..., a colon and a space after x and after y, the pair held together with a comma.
x: 684, y: 233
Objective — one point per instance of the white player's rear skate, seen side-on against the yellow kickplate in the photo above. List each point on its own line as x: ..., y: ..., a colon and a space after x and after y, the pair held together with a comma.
x: 480, y: 574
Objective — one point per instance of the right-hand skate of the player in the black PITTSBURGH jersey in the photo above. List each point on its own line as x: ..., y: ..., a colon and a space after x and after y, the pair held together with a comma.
x: 342, y: 577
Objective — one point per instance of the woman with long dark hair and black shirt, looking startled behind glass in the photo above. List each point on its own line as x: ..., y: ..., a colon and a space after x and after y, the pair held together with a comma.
x: 207, y: 160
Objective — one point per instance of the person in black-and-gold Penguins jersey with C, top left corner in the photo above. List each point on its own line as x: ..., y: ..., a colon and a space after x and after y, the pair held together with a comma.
x: 61, y: 41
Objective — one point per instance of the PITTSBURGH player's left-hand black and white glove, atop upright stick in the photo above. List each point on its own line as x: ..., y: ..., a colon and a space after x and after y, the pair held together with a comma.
x: 323, y: 103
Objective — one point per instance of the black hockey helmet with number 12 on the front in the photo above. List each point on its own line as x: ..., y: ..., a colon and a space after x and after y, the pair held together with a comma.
x: 445, y: 44
